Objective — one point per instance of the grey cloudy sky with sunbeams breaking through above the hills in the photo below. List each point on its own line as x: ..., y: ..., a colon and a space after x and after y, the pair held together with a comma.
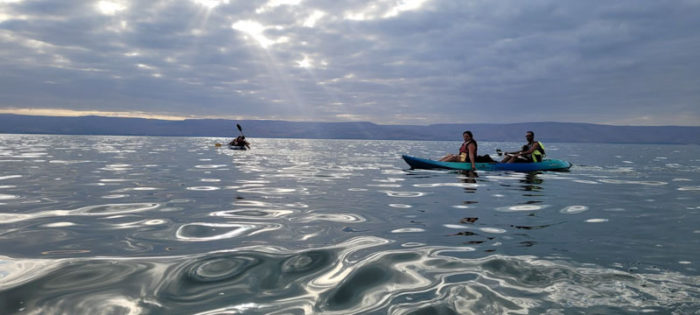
x: 385, y: 61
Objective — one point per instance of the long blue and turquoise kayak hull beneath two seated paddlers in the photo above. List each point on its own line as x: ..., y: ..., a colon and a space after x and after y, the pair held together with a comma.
x: 545, y: 165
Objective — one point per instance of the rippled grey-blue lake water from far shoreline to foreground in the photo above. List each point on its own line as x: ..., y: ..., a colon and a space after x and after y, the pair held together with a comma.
x: 130, y: 225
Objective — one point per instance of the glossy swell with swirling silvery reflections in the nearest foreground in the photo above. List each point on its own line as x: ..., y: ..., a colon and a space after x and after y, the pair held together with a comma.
x: 344, y: 278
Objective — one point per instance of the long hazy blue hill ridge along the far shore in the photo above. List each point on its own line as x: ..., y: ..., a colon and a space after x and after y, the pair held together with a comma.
x: 545, y: 131
